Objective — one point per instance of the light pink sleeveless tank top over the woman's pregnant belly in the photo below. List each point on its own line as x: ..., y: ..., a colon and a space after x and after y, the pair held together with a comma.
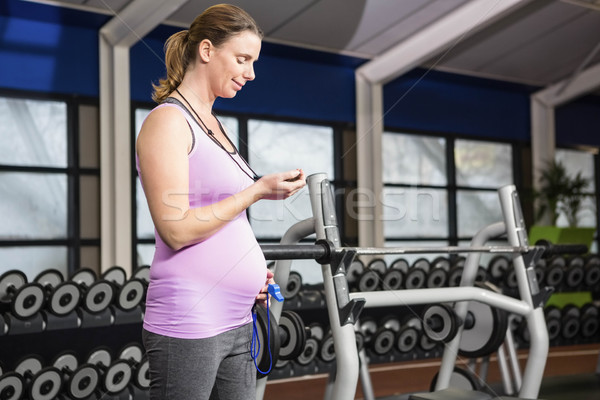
x: 210, y: 287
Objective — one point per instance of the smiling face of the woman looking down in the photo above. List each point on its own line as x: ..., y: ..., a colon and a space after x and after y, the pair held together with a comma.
x: 232, y: 64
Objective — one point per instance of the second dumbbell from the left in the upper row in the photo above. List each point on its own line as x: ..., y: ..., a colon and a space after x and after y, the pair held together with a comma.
x: 62, y: 298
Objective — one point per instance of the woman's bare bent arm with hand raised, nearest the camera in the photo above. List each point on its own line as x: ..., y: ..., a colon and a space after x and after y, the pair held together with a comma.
x: 162, y: 147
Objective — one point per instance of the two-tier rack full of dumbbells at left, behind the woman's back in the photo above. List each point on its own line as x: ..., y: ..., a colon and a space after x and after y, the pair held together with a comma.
x: 105, y: 320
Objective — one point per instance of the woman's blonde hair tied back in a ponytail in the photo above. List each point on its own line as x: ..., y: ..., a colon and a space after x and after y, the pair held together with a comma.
x: 217, y: 24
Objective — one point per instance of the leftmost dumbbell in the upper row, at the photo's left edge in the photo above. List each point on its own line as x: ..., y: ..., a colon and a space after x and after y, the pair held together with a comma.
x: 24, y: 300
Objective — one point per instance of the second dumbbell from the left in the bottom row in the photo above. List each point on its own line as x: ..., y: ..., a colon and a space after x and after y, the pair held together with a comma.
x: 41, y: 383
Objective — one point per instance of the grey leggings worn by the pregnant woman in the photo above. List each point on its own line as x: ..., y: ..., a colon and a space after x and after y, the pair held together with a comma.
x: 215, y: 368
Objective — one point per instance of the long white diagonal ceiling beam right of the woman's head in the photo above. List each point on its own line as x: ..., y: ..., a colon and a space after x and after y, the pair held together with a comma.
x: 437, y: 37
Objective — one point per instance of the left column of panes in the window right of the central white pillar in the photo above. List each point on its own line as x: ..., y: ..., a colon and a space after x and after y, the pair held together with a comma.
x: 415, y: 194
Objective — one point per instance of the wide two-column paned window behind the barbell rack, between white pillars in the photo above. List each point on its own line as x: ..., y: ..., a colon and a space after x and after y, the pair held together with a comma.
x: 438, y: 191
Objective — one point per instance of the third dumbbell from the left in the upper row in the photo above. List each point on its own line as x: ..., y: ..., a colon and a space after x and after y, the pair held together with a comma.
x: 97, y: 294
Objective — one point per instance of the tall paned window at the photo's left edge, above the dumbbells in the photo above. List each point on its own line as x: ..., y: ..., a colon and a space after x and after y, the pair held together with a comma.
x: 34, y: 185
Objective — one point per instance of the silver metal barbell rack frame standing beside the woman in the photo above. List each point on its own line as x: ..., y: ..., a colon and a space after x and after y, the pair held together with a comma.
x: 343, y: 307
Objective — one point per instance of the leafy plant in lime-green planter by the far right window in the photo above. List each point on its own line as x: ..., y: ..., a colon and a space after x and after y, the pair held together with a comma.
x: 558, y: 192
